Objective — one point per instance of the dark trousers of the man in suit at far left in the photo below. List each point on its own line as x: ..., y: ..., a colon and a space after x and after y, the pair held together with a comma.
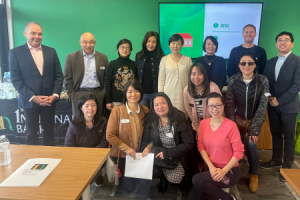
x: 45, y: 115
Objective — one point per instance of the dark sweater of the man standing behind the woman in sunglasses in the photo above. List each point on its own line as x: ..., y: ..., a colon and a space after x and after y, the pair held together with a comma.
x: 235, y: 55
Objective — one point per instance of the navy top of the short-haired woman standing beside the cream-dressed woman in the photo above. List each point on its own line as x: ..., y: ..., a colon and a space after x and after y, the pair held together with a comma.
x: 216, y: 72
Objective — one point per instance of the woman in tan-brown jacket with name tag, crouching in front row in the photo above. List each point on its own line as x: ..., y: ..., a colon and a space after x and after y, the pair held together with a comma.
x: 125, y: 129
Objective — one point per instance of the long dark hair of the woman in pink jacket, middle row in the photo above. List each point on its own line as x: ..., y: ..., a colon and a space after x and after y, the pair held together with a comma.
x: 205, y: 83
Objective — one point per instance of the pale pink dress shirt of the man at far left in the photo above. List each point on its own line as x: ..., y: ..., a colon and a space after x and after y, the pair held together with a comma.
x: 37, y: 55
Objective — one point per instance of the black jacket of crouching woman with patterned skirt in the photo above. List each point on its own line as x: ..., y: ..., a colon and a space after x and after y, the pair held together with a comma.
x: 183, y: 139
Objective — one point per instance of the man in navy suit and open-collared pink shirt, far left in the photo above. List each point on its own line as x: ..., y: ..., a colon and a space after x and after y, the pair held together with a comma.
x: 37, y: 76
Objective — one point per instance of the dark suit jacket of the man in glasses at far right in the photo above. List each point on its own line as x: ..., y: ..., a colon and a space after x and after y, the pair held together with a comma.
x: 287, y: 87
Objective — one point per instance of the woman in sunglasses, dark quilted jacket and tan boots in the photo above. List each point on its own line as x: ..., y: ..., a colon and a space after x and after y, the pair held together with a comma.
x: 246, y: 101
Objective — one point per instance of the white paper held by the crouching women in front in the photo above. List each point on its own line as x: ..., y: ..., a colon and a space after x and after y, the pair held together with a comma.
x: 141, y: 167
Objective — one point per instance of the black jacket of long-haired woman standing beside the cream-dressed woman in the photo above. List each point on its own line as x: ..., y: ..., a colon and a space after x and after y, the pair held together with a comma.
x: 155, y: 69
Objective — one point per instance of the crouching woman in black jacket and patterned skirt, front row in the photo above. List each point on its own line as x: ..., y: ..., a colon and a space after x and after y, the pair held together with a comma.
x: 168, y: 136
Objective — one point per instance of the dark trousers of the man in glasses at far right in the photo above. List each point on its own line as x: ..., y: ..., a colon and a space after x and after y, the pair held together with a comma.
x: 283, y: 127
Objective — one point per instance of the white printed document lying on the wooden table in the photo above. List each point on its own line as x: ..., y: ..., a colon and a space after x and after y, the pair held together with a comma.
x: 32, y: 173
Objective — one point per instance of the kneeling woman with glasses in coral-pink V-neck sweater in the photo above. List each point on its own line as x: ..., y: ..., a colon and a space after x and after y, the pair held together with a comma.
x: 221, y: 148
